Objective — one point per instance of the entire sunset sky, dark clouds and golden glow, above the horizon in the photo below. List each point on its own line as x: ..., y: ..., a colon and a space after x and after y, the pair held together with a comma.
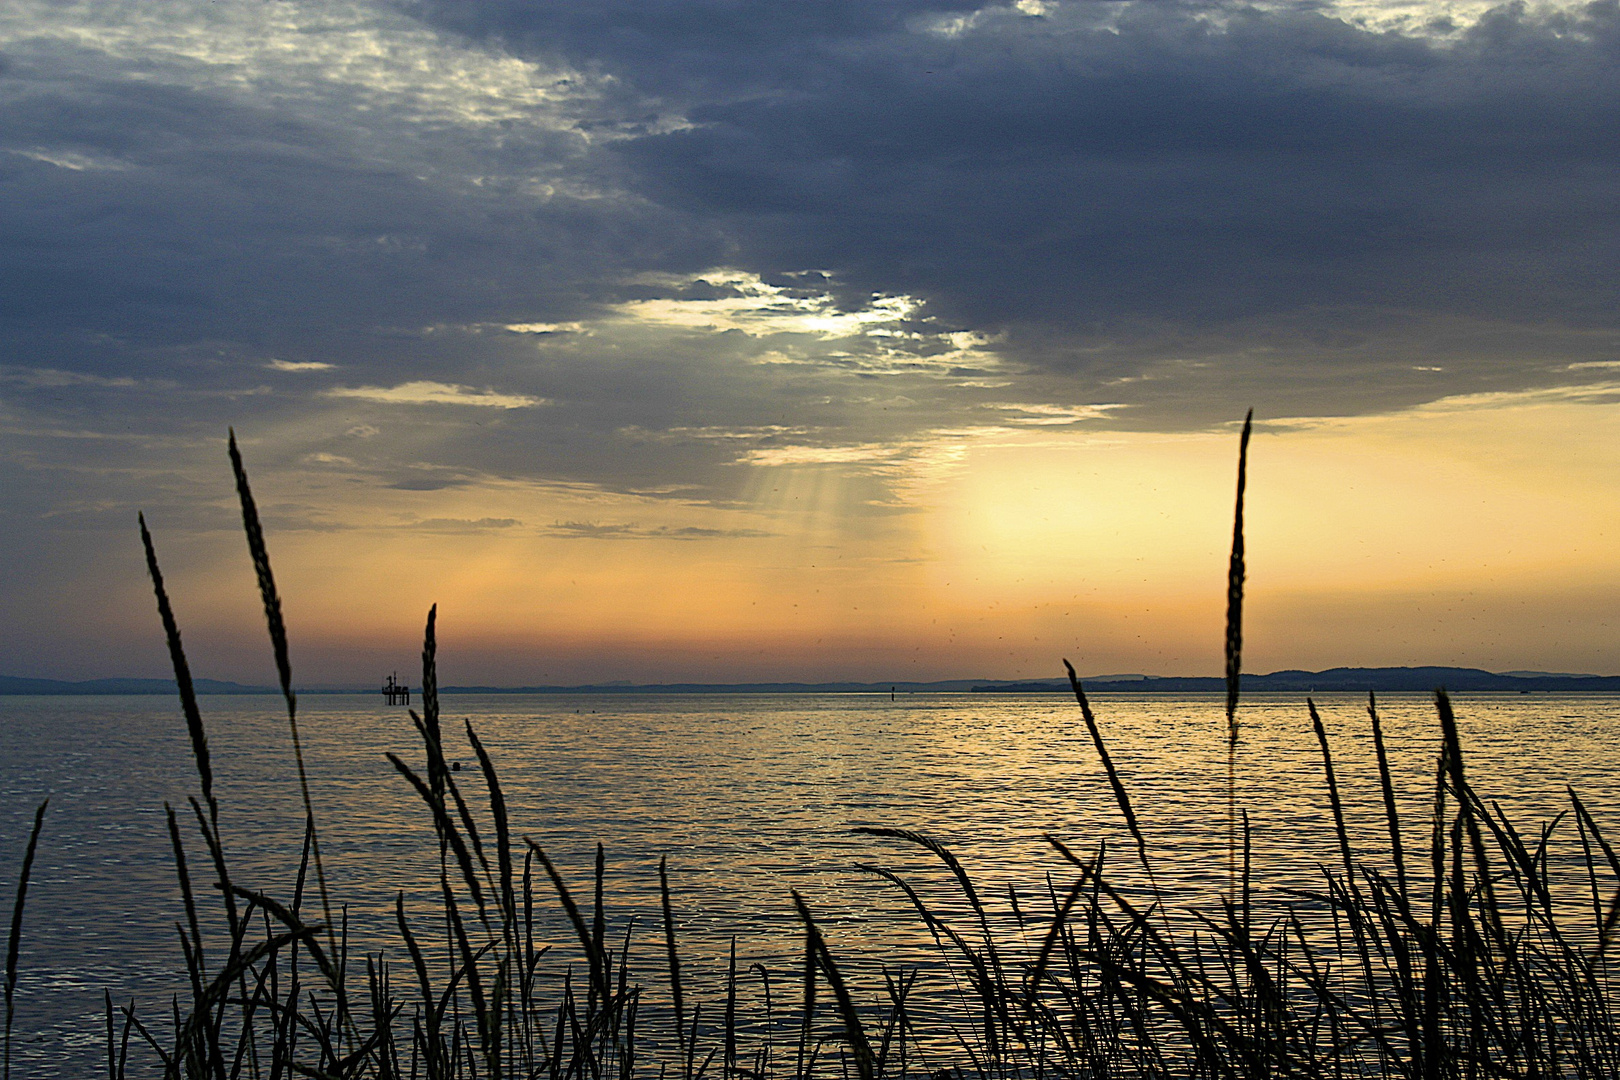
x: 775, y: 341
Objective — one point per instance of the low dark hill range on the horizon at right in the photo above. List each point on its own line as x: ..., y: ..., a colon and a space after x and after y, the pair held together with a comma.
x: 1332, y: 681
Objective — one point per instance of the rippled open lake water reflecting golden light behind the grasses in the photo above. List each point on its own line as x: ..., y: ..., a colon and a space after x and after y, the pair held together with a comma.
x: 748, y: 797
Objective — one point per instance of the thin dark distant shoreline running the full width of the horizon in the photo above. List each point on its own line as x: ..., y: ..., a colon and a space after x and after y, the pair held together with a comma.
x: 1332, y: 681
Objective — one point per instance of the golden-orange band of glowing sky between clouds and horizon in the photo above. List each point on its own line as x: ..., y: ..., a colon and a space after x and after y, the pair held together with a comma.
x: 1475, y: 532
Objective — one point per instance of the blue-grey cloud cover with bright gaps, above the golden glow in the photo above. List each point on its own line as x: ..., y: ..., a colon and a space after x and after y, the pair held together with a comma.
x: 654, y: 250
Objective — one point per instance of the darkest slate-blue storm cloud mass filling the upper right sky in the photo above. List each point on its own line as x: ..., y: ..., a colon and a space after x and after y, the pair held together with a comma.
x: 1203, y: 193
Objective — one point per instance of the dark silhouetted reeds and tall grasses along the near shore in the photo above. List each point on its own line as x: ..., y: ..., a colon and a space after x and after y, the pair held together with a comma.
x: 1464, y: 958
